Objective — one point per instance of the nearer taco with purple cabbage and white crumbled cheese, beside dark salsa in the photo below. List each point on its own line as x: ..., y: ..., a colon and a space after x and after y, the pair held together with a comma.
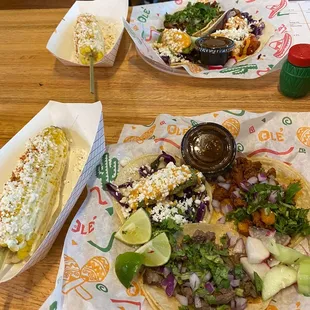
x: 164, y: 188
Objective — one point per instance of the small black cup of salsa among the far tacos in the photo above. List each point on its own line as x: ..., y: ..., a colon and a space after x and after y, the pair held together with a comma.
x: 214, y: 50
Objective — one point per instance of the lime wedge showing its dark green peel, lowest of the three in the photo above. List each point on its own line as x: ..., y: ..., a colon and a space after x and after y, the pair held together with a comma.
x: 126, y: 267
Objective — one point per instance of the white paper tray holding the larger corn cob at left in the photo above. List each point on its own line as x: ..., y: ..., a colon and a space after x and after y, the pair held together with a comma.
x: 83, y: 126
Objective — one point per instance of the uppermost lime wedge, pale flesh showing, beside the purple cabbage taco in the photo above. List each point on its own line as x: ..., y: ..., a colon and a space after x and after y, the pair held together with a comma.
x: 136, y: 230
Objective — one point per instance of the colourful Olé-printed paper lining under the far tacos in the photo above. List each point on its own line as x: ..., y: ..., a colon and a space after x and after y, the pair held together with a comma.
x: 146, y: 20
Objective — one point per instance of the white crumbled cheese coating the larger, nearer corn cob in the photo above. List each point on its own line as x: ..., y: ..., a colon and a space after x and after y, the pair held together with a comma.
x: 18, y: 199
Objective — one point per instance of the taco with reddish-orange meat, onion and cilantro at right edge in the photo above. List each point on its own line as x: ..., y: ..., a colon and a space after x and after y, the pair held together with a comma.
x: 263, y: 196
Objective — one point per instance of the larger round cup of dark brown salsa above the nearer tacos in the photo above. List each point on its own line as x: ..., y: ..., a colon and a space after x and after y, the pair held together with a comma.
x: 209, y: 148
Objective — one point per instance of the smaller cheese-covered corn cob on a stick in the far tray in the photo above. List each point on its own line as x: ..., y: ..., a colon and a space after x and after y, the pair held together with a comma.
x: 88, y: 39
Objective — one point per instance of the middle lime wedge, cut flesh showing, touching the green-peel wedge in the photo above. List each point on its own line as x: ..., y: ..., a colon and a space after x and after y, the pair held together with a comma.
x: 157, y: 251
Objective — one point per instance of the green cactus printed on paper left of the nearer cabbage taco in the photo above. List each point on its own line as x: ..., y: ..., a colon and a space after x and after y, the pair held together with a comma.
x: 107, y: 170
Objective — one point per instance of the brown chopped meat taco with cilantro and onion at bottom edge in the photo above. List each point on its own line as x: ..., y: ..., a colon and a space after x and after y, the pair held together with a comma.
x: 202, y: 273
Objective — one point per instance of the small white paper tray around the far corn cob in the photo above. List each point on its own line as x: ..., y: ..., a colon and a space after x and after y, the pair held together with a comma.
x: 107, y: 12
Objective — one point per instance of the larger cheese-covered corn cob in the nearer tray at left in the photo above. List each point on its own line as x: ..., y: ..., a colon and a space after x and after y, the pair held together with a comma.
x: 28, y: 197
